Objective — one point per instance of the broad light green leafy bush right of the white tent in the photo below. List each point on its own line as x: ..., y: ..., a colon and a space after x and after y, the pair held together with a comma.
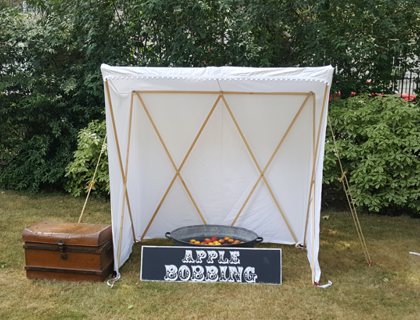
x: 378, y: 142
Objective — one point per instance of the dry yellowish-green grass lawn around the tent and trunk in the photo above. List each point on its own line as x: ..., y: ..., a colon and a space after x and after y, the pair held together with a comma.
x: 390, y: 289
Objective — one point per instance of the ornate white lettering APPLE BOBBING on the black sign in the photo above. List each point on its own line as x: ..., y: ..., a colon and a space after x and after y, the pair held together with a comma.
x: 197, y: 273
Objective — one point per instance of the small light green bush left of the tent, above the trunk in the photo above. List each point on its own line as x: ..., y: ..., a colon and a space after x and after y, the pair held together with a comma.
x: 81, y: 170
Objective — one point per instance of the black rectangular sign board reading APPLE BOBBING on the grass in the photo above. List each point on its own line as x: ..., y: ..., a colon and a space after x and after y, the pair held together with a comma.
x: 207, y: 264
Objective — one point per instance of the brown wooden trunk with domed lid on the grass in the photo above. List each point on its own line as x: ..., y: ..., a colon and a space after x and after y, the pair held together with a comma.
x: 68, y: 251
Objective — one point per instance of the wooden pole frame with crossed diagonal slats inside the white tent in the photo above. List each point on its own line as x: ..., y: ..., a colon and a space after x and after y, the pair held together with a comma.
x: 221, y: 96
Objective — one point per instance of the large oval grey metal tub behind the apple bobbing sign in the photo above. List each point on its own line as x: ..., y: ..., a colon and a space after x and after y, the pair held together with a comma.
x: 183, y: 235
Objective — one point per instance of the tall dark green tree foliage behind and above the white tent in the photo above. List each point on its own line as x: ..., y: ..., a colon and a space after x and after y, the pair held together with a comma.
x: 50, y: 81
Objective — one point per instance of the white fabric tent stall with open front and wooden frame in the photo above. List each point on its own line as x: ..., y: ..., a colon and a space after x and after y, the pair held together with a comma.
x: 218, y: 145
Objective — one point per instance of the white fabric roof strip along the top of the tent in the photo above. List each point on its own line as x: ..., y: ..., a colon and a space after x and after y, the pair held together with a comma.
x: 127, y: 79
